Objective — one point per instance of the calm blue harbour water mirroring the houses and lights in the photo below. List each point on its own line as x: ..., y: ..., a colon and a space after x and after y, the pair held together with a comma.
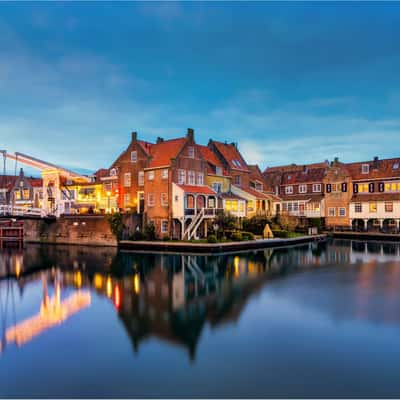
x: 309, y: 321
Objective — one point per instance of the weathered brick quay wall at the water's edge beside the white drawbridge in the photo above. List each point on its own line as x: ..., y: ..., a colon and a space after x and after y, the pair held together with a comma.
x: 82, y: 230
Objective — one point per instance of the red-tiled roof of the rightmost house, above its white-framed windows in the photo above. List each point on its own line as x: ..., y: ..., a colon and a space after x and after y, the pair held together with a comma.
x: 378, y: 169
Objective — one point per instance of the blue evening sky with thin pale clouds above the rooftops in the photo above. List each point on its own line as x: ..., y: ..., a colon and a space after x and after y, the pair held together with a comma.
x: 289, y: 81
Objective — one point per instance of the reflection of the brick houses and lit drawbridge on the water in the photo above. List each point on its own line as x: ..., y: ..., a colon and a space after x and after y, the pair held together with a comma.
x: 172, y: 297
